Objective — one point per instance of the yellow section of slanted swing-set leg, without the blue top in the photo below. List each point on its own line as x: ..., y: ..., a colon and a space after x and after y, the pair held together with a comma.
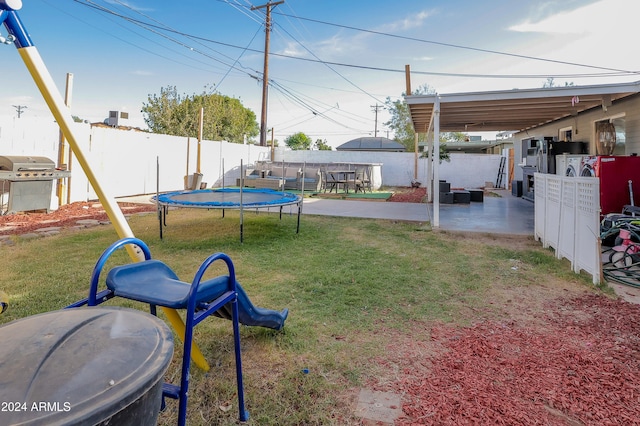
x: 52, y: 97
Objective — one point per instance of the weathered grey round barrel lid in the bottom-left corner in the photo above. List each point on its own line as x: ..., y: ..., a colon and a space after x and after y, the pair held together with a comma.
x: 79, y: 365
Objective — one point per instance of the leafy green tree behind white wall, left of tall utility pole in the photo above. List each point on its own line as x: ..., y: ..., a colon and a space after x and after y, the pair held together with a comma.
x: 224, y: 118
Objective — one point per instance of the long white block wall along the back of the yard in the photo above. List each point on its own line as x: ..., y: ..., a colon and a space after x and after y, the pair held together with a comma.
x: 125, y: 161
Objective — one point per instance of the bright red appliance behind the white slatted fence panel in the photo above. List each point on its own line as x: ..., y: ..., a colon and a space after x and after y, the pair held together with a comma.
x: 615, y: 173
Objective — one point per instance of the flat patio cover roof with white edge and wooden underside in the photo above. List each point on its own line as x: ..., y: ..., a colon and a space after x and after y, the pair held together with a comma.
x: 515, y: 110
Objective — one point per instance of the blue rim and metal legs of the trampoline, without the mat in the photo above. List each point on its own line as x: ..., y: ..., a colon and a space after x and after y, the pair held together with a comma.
x: 163, y: 202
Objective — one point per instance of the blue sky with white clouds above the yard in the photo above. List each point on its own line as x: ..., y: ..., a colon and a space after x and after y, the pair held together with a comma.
x: 333, y: 61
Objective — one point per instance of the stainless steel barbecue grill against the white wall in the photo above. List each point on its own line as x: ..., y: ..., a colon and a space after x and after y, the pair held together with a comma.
x: 26, y: 183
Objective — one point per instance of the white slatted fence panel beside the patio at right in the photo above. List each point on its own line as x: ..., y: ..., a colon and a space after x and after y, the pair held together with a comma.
x: 567, y: 219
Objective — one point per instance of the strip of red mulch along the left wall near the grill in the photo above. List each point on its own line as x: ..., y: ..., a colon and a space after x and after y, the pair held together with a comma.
x: 66, y: 216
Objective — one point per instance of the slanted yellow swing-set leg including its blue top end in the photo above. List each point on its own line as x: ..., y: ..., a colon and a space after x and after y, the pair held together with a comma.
x: 38, y: 70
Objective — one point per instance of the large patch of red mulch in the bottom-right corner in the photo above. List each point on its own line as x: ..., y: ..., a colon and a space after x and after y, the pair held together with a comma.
x: 580, y: 367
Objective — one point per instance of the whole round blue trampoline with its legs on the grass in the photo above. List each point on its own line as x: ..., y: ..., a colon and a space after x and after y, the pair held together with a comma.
x: 227, y: 198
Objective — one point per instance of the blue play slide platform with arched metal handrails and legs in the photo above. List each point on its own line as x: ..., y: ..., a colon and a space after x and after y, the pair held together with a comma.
x: 154, y: 283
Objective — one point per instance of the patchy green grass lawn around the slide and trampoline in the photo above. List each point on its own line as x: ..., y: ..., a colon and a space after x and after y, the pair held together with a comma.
x: 350, y: 284
